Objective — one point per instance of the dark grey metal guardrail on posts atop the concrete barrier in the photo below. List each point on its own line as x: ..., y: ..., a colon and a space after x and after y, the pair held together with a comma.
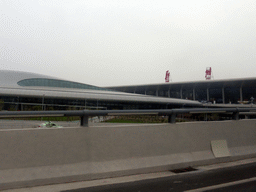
x: 171, y: 113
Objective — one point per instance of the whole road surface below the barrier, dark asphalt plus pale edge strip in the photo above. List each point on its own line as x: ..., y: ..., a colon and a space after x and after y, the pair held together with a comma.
x: 234, y: 176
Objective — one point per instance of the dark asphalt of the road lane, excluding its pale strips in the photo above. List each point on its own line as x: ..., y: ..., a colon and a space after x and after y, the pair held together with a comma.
x: 185, y: 182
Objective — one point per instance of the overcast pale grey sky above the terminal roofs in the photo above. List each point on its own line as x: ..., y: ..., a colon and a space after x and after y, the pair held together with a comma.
x: 127, y: 42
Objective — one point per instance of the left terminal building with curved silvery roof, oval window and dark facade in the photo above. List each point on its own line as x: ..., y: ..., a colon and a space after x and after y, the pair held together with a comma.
x: 30, y: 91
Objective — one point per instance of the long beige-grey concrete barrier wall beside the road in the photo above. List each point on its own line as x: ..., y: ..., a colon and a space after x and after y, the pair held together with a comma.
x: 32, y: 157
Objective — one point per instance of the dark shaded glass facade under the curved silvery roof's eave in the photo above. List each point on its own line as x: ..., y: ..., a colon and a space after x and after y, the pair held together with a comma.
x: 13, y: 103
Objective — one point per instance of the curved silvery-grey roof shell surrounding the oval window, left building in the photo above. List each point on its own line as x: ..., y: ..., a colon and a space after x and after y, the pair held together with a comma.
x: 9, y: 86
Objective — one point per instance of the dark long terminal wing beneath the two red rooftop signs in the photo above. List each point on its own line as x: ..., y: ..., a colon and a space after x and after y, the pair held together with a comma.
x: 230, y: 91
